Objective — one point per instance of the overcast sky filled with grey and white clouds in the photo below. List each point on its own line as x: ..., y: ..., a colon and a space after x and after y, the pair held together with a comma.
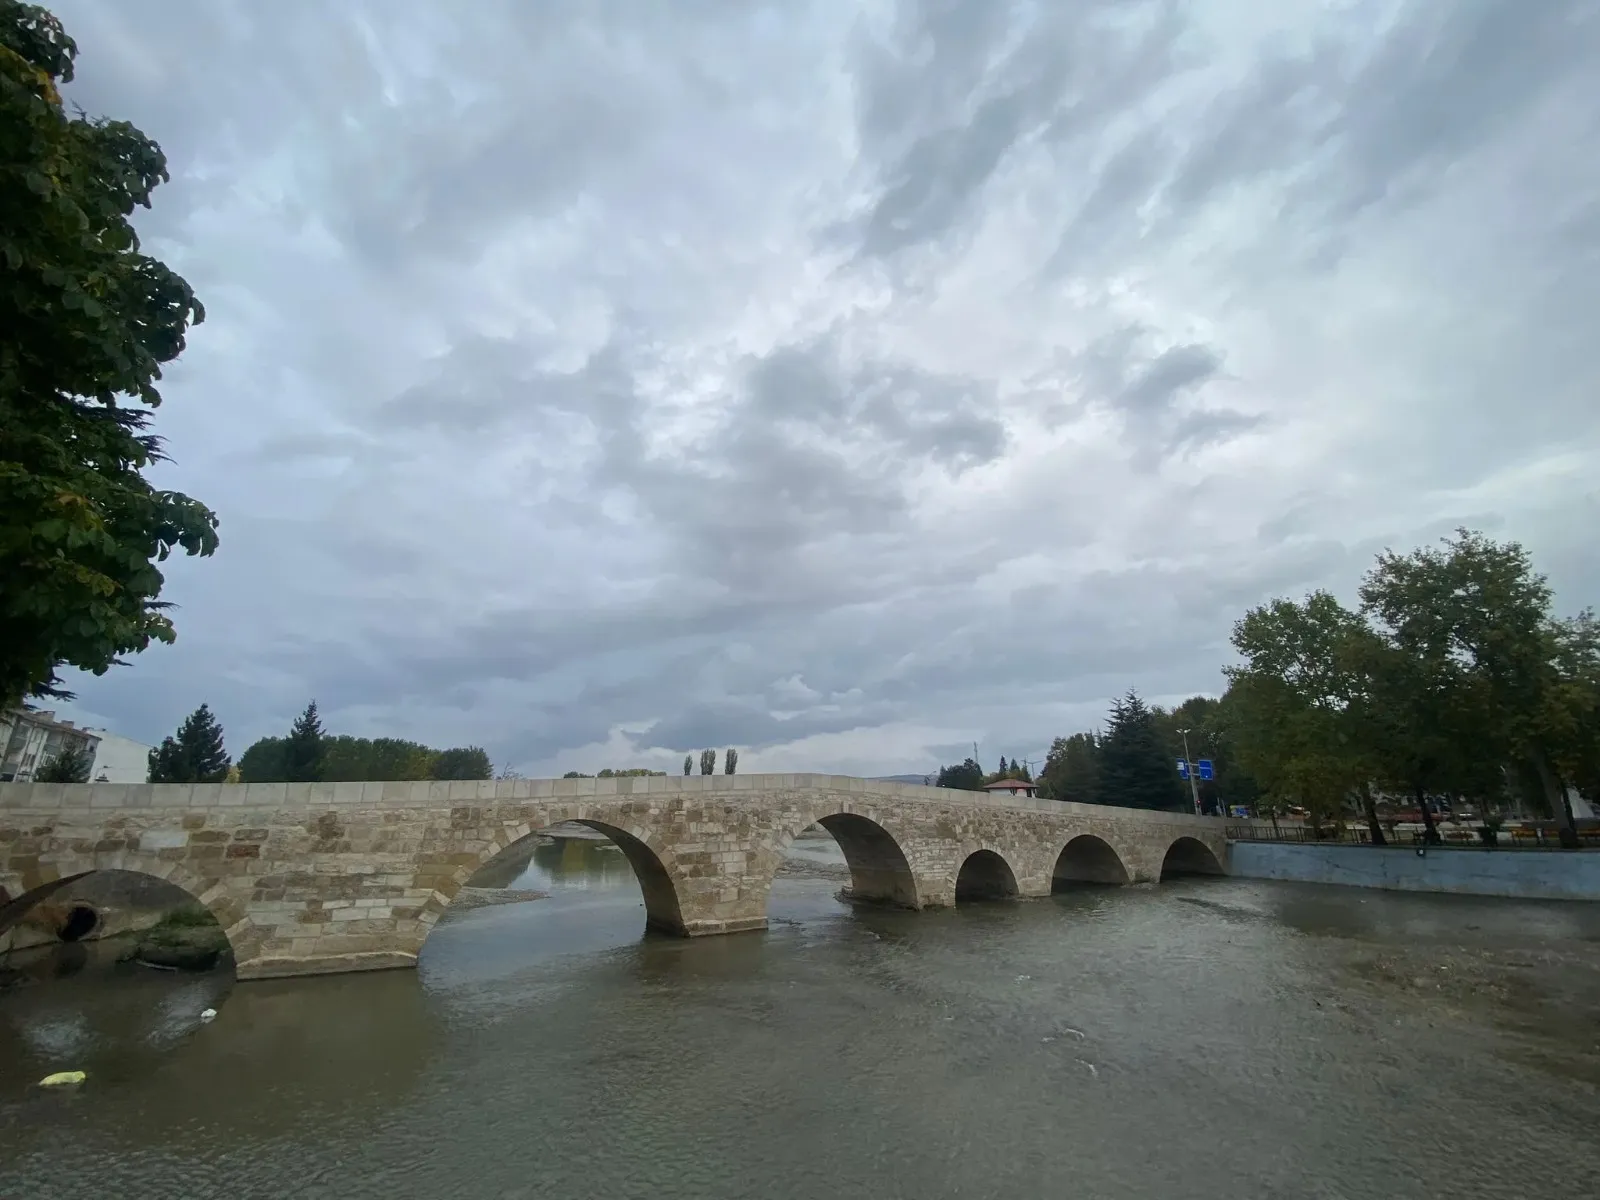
x: 841, y: 382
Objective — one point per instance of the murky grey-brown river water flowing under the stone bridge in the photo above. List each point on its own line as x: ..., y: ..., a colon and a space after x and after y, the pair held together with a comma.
x: 1196, y: 1039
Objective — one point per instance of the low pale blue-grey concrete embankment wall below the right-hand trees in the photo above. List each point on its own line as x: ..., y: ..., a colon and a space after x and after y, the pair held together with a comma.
x: 1529, y: 874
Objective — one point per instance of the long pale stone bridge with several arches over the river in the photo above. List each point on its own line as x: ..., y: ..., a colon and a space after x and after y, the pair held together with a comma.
x: 342, y: 878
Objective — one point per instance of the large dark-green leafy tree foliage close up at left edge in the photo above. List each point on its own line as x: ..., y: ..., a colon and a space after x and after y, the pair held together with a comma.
x: 86, y: 322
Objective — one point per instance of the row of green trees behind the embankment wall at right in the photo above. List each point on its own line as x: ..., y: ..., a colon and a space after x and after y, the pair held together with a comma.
x: 1452, y: 679
